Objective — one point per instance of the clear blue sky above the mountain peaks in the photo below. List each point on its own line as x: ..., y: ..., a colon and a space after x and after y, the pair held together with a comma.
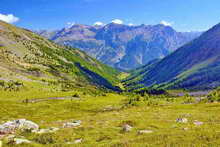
x: 183, y: 15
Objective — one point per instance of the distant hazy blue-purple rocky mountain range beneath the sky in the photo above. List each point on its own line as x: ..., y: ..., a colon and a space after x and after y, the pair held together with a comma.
x: 121, y: 46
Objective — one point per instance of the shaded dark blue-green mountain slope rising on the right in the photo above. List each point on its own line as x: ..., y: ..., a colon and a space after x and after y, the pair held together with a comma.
x: 195, y: 65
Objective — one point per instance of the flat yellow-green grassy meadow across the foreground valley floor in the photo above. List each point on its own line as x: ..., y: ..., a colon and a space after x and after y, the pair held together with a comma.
x: 103, y: 116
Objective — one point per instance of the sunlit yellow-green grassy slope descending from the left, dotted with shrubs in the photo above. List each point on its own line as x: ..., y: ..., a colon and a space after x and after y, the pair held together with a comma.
x: 31, y: 59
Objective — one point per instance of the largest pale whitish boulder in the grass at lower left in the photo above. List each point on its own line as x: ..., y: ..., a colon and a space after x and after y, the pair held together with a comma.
x: 20, y: 124
